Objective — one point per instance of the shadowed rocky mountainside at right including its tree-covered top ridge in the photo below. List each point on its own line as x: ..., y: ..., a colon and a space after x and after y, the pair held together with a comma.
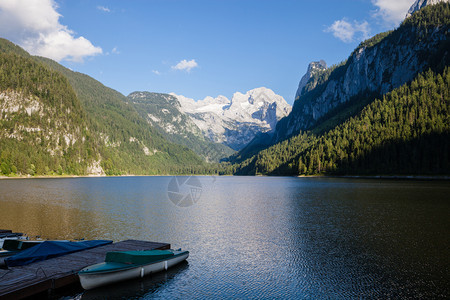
x: 376, y: 67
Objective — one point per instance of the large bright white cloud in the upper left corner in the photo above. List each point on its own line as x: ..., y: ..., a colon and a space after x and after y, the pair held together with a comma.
x: 35, y: 26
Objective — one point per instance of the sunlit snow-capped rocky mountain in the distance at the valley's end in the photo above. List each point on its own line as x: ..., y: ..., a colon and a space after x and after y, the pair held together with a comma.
x: 237, y: 121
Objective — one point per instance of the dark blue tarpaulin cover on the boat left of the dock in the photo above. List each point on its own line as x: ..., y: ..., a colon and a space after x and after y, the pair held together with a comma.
x: 51, y: 249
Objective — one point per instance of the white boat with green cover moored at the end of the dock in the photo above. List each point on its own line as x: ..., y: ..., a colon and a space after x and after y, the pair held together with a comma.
x: 125, y: 265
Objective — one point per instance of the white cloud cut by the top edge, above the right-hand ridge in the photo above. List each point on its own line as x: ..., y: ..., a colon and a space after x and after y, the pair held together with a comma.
x: 392, y: 12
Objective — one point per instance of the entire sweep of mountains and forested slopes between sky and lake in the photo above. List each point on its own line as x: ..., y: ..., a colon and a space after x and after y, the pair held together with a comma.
x: 384, y: 110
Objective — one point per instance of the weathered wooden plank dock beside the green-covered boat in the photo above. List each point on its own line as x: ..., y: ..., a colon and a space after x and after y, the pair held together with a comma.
x: 26, y: 281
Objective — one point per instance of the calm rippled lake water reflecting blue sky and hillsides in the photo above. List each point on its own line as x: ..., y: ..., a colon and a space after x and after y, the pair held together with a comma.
x: 254, y: 237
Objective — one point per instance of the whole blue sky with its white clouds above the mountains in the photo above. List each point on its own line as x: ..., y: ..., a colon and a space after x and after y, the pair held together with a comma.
x: 196, y: 48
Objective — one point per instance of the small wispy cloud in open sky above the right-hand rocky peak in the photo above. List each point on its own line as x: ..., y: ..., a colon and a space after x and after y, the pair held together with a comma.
x: 348, y: 32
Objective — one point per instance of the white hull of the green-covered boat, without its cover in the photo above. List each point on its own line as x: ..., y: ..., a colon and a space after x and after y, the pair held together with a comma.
x: 90, y: 281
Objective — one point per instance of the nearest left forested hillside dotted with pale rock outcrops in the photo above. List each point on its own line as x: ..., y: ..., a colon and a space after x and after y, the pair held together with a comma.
x: 43, y: 128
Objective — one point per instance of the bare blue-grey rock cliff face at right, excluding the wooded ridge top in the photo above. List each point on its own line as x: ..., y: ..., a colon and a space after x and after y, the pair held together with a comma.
x: 377, y: 66
